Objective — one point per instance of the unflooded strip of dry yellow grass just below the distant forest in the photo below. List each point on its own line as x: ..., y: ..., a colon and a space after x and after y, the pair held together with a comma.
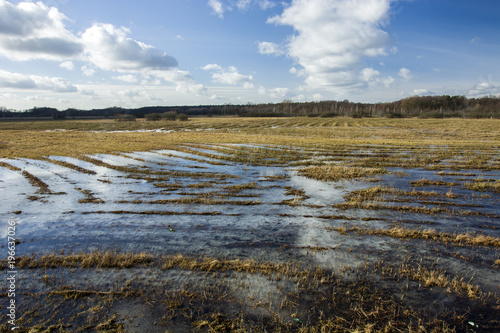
x: 37, y: 139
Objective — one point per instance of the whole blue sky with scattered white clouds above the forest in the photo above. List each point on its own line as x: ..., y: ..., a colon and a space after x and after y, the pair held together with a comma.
x: 93, y: 54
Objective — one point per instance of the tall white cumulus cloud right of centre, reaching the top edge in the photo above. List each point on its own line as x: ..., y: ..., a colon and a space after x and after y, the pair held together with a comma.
x: 333, y: 37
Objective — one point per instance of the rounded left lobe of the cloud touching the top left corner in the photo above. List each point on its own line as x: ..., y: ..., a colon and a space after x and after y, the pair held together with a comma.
x: 34, y: 31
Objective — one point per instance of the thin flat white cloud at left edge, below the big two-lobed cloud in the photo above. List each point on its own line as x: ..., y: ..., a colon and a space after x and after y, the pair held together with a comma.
x: 17, y: 80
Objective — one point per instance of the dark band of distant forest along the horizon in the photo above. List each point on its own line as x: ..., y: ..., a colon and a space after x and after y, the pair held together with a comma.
x: 424, y: 107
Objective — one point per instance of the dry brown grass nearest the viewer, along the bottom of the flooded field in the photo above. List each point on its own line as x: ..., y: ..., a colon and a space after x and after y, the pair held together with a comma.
x: 310, y: 299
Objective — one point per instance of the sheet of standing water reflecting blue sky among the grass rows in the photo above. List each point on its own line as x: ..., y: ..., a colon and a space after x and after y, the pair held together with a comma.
x: 170, y: 202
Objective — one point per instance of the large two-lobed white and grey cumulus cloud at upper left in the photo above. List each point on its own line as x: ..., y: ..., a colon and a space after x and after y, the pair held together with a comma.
x: 34, y: 31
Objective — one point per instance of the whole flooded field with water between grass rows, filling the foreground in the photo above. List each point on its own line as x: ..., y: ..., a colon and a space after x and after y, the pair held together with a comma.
x: 255, y: 237
